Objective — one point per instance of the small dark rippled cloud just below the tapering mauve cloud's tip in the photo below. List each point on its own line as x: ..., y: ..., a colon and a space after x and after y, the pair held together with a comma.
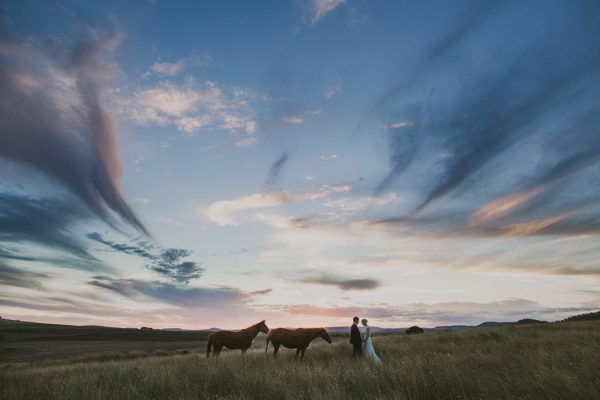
x: 167, y: 262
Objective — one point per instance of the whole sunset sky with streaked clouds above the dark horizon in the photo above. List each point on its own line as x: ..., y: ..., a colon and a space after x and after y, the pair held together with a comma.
x: 213, y: 164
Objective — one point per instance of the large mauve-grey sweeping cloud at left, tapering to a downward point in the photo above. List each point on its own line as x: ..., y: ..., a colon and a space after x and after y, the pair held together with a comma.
x: 61, y: 110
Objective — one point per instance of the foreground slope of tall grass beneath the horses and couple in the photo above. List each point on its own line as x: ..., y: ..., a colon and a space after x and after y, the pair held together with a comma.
x: 551, y: 361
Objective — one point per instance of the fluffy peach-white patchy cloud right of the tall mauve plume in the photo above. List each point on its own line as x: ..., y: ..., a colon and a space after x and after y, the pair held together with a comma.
x: 191, y: 107
